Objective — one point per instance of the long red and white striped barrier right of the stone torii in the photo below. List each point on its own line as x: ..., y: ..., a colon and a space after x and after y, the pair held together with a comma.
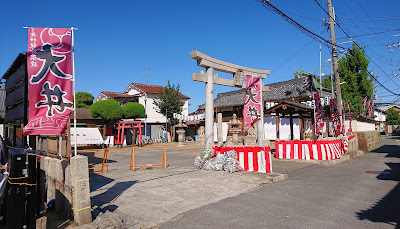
x: 308, y: 150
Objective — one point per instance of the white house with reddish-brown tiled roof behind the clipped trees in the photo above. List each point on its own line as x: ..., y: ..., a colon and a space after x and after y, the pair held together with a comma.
x: 144, y: 94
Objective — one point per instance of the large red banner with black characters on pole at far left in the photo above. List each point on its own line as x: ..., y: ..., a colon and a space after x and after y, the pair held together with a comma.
x: 49, y: 81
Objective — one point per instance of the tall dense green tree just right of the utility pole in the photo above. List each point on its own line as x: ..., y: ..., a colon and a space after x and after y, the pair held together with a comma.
x: 353, y: 69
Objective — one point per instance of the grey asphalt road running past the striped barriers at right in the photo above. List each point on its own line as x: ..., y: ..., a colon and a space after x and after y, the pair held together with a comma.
x: 360, y: 193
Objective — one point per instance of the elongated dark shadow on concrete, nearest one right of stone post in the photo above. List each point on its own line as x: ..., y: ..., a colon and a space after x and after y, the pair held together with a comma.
x: 104, y: 202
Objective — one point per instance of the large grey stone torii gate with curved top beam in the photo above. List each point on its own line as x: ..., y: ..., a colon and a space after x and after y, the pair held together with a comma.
x: 208, y: 77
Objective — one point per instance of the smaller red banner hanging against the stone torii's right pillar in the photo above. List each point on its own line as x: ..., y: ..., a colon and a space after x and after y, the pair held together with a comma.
x: 252, y: 101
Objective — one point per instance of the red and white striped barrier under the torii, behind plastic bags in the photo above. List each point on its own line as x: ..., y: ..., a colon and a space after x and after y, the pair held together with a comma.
x: 252, y: 159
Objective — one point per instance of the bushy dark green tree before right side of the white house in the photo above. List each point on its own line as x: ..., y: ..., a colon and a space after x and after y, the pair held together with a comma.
x: 169, y: 102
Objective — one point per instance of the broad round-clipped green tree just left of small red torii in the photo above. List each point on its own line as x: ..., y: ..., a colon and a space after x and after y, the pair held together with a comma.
x: 108, y: 110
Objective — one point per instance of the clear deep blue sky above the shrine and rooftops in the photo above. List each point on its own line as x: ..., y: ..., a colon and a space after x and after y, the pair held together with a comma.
x: 117, y: 40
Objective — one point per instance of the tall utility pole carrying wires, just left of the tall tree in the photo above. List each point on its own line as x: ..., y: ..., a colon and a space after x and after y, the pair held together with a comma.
x: 335, y: 61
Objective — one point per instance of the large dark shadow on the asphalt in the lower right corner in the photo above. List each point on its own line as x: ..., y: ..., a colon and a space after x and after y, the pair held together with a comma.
x: 387, y: 209
